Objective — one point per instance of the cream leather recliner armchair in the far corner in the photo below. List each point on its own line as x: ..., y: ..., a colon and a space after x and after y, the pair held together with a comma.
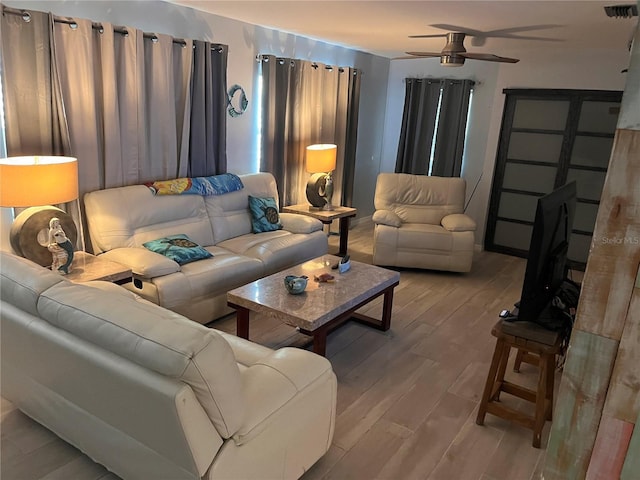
x: 419, y: 223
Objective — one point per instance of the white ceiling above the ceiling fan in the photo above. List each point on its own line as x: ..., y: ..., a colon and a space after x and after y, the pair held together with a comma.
x: 382, y: 27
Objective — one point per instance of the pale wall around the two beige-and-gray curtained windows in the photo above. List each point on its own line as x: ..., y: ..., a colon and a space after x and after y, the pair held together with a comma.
x: 245, y: 42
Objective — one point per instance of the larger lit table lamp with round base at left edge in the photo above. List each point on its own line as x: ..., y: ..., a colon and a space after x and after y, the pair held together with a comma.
x: 37, y: 182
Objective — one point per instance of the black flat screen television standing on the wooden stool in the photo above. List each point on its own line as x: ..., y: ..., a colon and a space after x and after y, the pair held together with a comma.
x: 547, y: 260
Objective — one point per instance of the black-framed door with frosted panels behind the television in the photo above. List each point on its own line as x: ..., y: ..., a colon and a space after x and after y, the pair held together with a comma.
x: 548, y: 138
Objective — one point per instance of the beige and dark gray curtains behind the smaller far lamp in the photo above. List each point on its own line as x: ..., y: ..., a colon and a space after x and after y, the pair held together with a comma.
x: 305, y: 103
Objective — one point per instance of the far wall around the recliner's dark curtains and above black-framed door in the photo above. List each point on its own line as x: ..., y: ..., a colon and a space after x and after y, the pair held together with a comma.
x: 593, y: 70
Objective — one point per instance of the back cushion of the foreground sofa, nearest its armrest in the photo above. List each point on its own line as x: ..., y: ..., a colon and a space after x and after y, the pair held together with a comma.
x: 154, y: 338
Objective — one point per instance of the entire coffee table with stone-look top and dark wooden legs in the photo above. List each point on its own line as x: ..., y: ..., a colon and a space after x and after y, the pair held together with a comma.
x: 322, y: 306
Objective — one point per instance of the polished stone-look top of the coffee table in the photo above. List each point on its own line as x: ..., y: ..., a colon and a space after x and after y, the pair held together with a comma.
x: 320, y: 302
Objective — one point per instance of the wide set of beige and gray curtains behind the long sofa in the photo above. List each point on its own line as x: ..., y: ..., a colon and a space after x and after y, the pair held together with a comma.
x: 116, y: 98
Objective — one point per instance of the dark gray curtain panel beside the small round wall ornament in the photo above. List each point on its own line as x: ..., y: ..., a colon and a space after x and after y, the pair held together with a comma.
x: 208, y: 140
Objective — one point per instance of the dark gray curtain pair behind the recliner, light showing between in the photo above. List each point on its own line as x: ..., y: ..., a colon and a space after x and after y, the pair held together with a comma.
x: 433, y: 108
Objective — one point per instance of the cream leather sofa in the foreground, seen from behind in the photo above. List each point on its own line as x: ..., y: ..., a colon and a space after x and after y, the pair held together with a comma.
x: 150, y: 394
